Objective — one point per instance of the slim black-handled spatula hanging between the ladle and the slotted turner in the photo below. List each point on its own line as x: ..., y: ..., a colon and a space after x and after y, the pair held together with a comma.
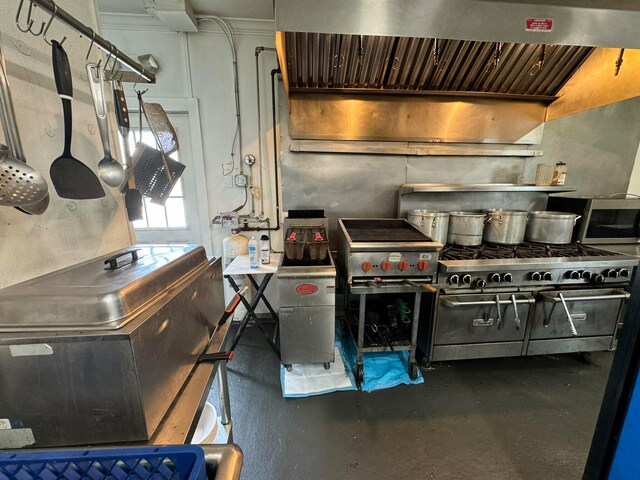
x: 132, y: 196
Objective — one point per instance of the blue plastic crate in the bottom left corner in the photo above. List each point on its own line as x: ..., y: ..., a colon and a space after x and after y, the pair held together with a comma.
x: 140, y: 463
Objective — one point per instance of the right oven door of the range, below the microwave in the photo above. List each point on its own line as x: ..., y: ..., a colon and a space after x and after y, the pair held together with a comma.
x: 576, y: 320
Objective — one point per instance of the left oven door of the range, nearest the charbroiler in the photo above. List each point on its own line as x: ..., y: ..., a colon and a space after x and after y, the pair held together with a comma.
x: 481, y: 325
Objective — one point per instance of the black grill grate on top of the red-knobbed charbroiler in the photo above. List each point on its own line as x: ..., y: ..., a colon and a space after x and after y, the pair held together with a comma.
x: 383, y: 231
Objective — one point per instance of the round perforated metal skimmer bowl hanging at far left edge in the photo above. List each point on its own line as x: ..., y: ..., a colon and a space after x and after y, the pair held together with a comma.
x: 20, y: 185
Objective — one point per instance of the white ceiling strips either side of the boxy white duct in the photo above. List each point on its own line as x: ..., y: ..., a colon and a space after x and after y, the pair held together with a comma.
x: 259, y: 9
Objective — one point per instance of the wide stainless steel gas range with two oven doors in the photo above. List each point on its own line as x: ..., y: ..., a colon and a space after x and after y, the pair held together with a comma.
x: 529, y: 299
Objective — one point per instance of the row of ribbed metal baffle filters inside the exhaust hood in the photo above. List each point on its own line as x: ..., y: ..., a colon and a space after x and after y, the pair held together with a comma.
x: 374, y: 64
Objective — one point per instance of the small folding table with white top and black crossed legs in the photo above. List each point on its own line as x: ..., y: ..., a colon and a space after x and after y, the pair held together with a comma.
x: 240, y: 266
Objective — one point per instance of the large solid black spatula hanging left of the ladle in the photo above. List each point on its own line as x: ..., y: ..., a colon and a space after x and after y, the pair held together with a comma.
x: 71, y: 178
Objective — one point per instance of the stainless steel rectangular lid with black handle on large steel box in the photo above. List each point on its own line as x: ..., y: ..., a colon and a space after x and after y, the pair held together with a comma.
x: 89, y: 295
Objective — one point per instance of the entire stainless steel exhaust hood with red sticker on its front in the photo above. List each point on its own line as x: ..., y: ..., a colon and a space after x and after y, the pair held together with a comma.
x: 474, y: 71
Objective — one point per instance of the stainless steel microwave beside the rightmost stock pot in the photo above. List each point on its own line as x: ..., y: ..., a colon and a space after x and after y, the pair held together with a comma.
x: 603, y: 219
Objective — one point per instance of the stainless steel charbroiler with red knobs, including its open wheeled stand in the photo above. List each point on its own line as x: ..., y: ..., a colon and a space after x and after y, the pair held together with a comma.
x: 390, y: 261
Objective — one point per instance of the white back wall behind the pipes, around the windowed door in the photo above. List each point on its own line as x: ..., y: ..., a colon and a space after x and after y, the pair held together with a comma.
x: 199, y: 65
